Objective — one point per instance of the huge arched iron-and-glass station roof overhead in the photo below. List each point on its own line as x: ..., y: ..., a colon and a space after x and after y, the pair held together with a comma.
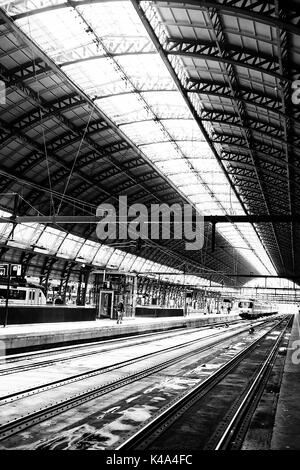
x: 191, y: 102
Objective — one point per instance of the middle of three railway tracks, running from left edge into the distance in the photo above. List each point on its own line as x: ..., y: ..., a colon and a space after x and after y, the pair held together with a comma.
x: 21, y: 423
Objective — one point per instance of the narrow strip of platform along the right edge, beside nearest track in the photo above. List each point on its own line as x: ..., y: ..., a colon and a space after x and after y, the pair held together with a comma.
x: 286, y: 432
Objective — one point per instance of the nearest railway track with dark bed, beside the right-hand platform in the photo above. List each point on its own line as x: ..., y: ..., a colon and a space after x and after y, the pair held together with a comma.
x: 215, y: 414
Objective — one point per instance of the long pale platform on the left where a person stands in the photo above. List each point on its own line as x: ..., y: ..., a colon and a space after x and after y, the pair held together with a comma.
x: 30, y: 337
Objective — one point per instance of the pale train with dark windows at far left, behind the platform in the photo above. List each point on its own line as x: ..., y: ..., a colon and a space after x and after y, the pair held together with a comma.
x: 22, y: 294
